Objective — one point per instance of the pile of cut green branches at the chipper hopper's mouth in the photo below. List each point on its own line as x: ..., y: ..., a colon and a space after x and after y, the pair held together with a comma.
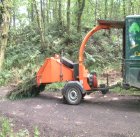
x: 26, y: 89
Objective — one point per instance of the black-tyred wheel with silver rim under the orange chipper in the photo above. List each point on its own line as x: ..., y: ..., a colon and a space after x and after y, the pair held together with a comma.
x: 72, y: 94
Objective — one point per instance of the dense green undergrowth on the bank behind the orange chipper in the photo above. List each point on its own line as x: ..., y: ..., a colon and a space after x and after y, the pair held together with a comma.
x: 23, y: 55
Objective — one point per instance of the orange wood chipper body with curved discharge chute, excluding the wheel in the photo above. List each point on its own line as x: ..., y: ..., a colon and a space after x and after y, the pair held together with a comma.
x: 56, y: 69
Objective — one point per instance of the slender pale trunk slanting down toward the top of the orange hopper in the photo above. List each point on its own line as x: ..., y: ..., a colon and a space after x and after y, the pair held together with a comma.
x: 42, y: 37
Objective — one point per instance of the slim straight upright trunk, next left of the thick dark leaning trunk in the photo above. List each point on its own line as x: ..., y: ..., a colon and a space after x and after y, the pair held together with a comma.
x: 68, y: 17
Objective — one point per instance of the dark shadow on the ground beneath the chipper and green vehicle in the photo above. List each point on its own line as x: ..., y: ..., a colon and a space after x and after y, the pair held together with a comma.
x: 124, y: 103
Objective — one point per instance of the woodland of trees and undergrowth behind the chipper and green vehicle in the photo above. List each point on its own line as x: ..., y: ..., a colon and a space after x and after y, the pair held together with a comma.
x: 31, y: 30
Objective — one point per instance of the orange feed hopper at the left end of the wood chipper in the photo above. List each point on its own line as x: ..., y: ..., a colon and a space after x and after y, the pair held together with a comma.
x: 54, y: 71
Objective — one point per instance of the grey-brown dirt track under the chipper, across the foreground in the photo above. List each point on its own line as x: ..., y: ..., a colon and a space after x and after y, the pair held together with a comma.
x: 97, y: 115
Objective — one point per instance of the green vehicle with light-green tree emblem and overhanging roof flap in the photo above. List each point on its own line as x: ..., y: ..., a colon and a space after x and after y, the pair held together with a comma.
x: 131, y: 48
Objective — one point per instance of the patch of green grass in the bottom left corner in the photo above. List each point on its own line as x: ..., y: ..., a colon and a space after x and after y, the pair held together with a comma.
x: 6, y: 130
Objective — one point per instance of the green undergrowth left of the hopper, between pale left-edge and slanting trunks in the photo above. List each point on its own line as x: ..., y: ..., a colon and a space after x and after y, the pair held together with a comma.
x: 23, y: 56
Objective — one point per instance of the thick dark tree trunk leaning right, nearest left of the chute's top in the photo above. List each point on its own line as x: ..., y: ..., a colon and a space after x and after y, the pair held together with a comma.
x: 81, y: 5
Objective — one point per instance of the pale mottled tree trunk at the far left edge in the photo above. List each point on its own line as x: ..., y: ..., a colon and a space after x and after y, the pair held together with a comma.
x: 4, y: 29
